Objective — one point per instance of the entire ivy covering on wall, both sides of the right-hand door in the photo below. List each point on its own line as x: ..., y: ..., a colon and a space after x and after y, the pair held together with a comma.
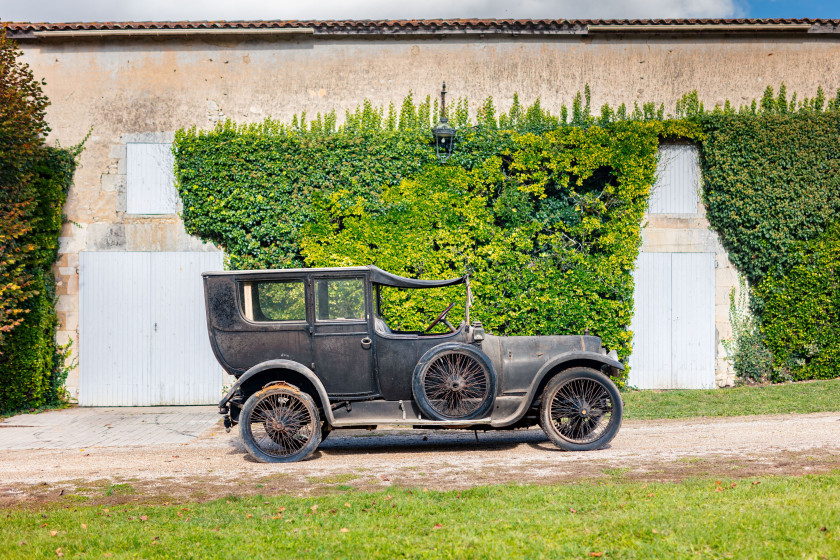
x: 543, y: 211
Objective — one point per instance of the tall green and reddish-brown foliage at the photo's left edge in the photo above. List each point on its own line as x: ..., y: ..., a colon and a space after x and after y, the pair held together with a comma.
x: 33, y: 187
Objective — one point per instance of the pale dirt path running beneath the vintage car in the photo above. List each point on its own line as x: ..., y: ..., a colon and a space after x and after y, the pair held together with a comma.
x: 215, y: 463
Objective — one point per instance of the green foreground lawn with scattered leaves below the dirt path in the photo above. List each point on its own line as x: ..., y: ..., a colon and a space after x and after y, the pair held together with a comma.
x: 791, y: 517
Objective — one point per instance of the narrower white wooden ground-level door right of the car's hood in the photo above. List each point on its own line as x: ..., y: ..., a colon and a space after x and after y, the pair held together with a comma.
x: 673, y: 324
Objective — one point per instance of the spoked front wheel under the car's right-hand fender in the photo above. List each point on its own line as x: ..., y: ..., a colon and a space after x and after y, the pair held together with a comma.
x: 581, y: 409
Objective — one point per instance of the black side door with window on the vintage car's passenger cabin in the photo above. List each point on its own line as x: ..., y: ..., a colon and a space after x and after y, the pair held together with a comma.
x: 341, y: 336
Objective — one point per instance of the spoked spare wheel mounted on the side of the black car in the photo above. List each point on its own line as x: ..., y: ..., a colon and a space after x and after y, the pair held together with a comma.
x: 454, y: 382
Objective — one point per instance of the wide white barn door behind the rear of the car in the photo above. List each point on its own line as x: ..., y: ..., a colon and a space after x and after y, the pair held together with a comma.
x: 143, y: 332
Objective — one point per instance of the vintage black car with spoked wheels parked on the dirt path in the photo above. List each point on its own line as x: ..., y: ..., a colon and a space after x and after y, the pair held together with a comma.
x: 311, y: 353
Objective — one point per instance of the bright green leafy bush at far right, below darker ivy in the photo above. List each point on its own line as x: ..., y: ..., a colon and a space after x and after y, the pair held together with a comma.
x: 801, y: 311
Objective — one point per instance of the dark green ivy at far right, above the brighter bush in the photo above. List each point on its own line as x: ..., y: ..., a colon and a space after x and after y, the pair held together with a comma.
x: 771, y: 182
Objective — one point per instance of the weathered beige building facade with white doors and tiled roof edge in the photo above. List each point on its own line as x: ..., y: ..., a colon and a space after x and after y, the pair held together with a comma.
x: 128, y: 272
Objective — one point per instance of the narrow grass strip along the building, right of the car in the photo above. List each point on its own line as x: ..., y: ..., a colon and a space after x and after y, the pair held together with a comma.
x: 799, y: 398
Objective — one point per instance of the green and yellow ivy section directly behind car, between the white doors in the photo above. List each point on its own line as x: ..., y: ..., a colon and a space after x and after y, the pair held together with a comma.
x: 545, y: 216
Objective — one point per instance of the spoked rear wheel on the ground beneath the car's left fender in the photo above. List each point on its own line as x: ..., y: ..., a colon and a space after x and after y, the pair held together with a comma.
x: 280, y: 424
